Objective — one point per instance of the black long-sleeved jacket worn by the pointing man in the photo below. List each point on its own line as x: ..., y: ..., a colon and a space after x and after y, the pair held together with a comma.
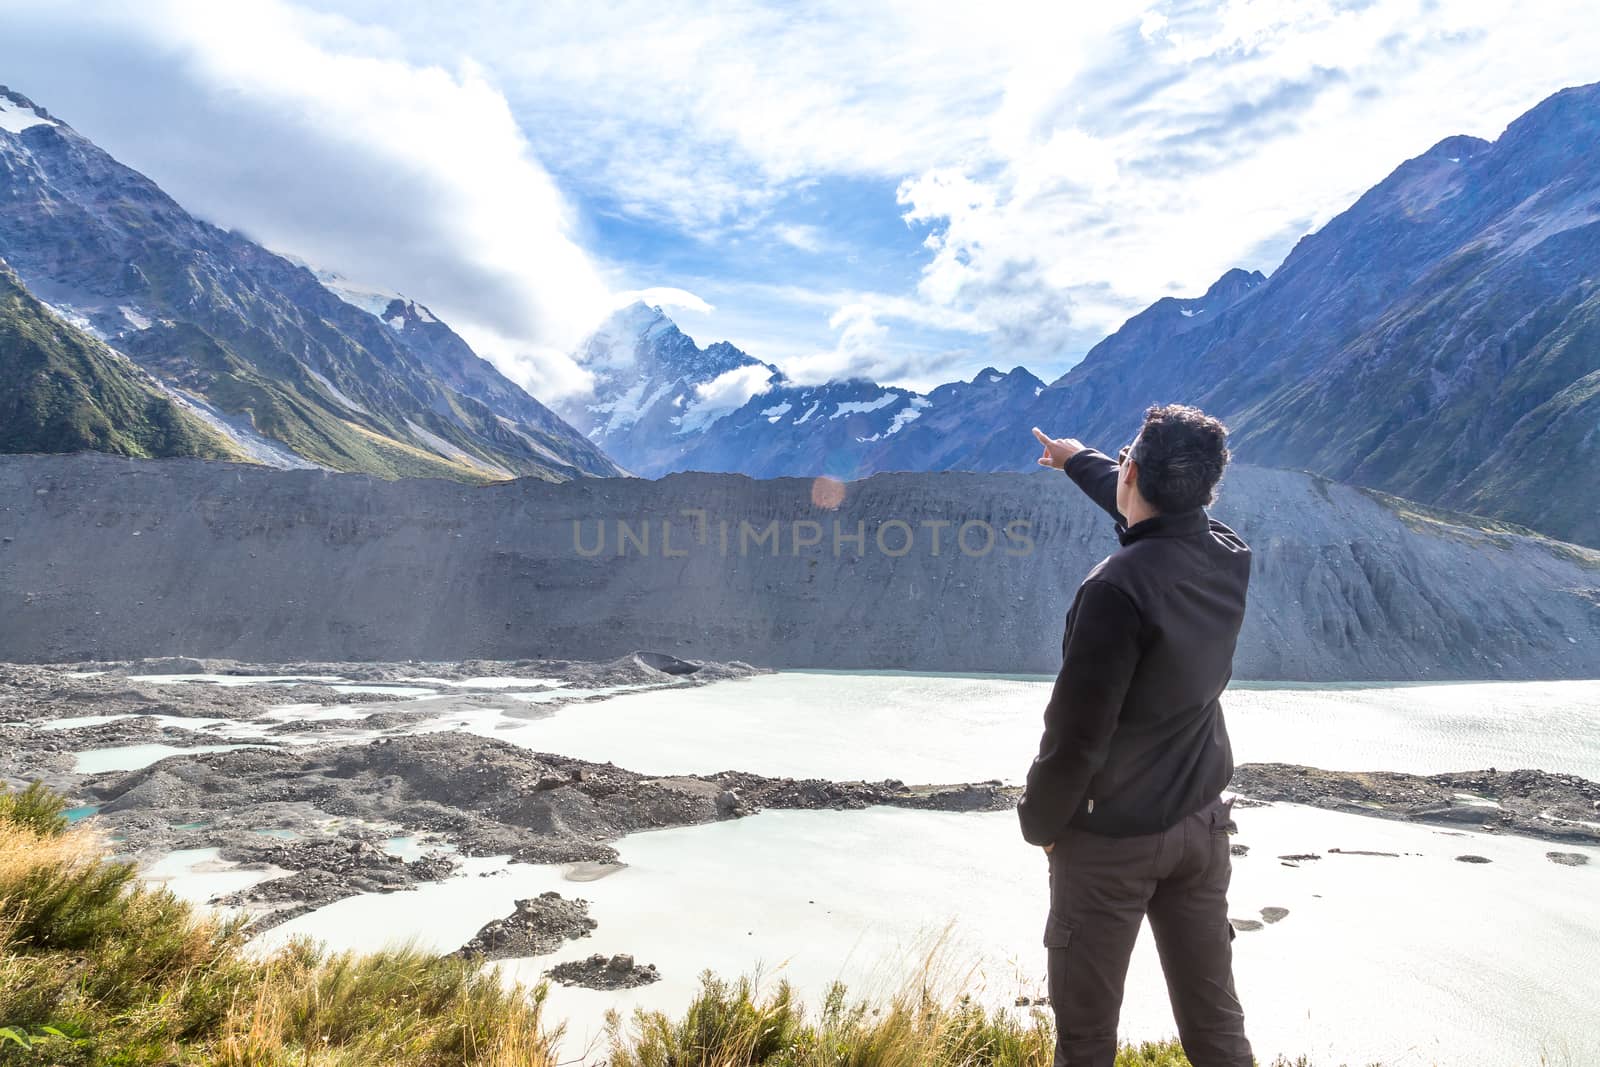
x: 1134, y: 733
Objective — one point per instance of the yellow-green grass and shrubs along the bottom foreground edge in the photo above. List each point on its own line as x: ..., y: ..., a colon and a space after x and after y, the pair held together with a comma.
x: 98, y: 970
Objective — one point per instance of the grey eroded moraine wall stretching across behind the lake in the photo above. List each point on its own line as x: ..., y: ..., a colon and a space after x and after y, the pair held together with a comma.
x: 105, y: 557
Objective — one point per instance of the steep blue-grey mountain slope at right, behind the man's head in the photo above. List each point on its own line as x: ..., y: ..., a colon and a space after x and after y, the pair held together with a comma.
x: 1439, y: 340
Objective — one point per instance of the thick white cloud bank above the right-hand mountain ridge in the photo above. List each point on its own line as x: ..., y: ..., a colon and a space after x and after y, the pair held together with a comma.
x: 1242, y: 129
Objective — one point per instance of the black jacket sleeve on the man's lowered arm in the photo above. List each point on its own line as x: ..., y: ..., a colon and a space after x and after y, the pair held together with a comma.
x: 1100, y: 655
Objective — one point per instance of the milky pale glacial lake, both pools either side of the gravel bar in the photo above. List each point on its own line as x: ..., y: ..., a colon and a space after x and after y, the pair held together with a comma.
x: 1409, y: 961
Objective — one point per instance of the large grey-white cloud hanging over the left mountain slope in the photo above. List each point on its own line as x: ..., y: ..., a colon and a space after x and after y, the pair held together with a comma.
x: 311, y: 135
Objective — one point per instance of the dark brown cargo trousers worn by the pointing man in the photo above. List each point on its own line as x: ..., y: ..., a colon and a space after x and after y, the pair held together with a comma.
x: 1100, y: 892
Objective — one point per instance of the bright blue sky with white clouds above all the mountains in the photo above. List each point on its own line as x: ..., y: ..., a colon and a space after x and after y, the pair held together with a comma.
x: 903, y: 191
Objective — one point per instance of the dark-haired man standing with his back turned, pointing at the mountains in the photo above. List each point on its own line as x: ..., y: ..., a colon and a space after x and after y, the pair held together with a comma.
x: 1127, y: 791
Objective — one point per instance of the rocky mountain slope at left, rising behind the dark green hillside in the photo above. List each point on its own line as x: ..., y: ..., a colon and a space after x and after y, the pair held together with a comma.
x: 252, y: 335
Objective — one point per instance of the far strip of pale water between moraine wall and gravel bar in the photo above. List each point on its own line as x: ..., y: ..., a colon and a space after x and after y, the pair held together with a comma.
x: 946, y: 729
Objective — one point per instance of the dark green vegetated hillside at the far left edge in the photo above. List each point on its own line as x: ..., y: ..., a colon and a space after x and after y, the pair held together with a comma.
x: 63, y: 391
